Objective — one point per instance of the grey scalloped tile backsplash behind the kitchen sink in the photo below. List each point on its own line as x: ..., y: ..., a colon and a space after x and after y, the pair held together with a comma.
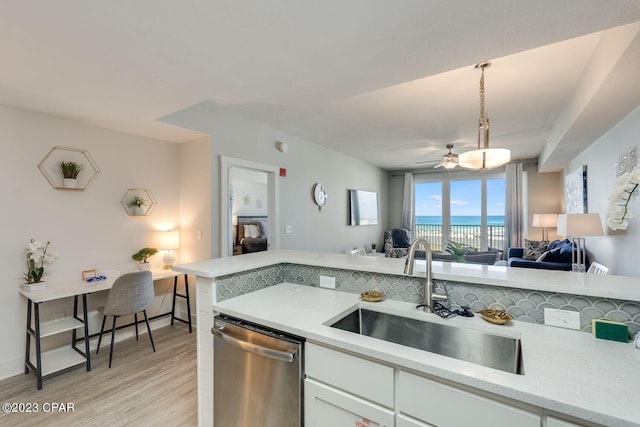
x: 524, y: 305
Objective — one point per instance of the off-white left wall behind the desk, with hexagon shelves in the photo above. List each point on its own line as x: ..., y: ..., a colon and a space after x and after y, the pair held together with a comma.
x: 87, y: 229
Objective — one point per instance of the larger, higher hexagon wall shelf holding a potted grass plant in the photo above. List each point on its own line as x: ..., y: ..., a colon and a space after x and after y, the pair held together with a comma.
x: 50, y: 169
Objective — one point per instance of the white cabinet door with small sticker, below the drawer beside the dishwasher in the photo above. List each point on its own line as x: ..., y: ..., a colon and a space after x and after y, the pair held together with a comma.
x: 327, y: 406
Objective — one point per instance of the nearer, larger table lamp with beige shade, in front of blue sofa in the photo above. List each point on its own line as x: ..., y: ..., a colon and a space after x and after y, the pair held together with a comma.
x: 577, y: 226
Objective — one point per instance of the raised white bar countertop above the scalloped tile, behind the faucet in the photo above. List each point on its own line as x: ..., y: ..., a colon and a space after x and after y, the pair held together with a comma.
x: 617, y: 287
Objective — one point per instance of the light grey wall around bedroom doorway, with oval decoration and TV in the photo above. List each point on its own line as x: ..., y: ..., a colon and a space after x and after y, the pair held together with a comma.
x: 306, y: 164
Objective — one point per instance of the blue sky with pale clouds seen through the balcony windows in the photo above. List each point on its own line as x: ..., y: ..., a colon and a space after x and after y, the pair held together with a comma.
x: 465, y: 198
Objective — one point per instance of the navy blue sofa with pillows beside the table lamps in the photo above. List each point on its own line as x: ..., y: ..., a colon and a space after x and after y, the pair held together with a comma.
x: 554, y: 256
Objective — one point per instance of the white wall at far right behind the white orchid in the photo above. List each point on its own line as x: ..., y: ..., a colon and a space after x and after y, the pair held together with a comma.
x: 618, y: 249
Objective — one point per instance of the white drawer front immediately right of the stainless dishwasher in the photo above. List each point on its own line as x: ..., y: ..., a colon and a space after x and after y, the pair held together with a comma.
x: 361, y: 377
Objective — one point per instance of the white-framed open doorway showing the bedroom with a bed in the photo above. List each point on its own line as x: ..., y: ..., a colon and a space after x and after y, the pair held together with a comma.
x: 249, y: 194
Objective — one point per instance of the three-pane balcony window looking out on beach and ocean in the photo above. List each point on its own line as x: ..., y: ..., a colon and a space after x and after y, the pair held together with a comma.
x: 468, y: 211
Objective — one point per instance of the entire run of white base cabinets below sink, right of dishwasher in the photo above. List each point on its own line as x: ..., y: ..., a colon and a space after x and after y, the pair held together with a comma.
x: 346, y: 390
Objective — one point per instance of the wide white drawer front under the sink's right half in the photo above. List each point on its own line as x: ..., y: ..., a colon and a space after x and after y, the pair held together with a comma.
x: 440, y: 404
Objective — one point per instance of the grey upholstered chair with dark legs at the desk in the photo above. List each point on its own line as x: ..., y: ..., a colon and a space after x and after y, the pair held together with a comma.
x: 131, y: 293
